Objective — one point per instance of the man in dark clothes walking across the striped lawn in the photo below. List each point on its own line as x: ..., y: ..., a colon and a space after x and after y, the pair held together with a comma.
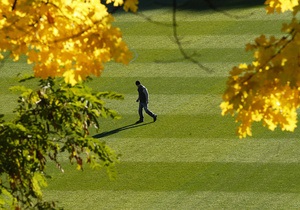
x: 143, y: 99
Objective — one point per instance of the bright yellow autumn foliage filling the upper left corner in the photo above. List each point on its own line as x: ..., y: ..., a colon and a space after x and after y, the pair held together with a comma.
x: 69, y: 38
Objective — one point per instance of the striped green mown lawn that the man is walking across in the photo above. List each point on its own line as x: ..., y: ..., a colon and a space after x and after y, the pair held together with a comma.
x: 190, y: 158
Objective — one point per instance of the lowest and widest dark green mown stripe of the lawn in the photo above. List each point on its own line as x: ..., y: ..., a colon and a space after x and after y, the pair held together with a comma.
x: 191, y: 177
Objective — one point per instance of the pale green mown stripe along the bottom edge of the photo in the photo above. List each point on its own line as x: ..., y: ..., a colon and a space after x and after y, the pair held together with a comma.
x: 109, y: 199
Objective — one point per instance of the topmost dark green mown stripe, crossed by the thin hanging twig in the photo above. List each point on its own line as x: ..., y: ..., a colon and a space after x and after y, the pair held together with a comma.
x: 202, y: 27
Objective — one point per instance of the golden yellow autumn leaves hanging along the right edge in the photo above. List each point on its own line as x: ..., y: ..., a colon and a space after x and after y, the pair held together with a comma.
x: 268, y: 89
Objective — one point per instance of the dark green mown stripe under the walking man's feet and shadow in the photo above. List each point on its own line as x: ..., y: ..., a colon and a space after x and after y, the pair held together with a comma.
x: 183, y: 126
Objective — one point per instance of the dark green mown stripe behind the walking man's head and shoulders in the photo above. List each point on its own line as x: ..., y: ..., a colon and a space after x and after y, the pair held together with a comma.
x: 162, y: 85
